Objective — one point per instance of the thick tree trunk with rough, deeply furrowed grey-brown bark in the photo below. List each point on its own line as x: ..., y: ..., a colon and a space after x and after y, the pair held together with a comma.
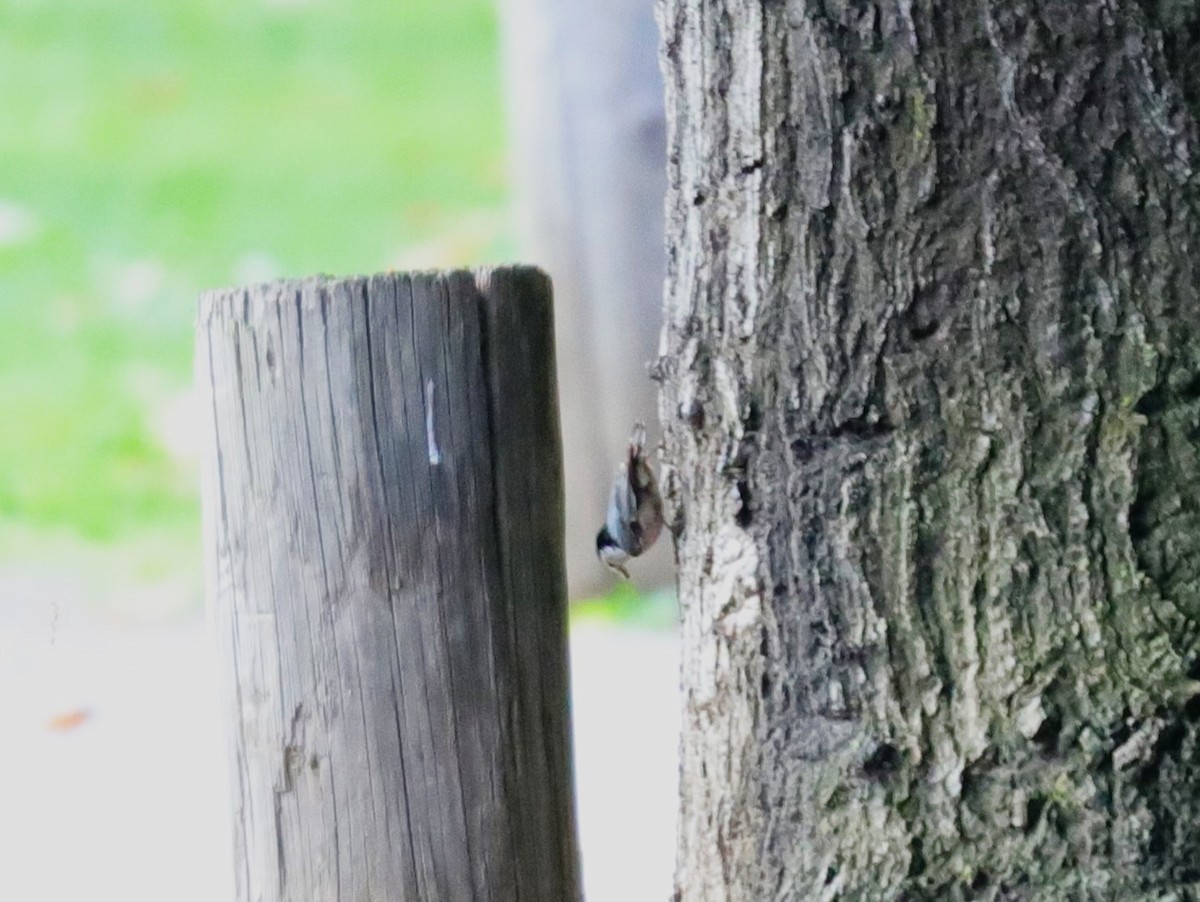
x: 933, y: 401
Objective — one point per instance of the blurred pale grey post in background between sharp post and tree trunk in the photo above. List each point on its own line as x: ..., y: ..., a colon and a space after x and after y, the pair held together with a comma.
x: 589, y: 145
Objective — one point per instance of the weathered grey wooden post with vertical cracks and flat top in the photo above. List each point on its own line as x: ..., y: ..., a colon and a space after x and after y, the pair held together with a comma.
x: 383, y: 531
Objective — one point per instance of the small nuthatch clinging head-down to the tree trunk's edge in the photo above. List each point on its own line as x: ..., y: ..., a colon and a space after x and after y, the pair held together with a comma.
x: 635, y: 509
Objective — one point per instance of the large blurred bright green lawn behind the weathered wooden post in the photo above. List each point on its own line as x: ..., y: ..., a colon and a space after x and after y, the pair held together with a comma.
x: 153, y: 149
